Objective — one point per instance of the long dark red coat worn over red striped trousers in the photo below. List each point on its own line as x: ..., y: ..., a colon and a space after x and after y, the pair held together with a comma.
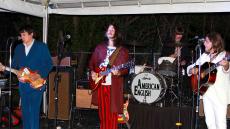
x: 97, y: 58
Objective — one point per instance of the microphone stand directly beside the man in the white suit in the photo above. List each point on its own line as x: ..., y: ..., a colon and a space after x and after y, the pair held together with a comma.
x: 198, y: 49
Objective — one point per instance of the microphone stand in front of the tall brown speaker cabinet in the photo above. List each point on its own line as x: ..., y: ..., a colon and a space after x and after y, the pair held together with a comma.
x: 57, y: 78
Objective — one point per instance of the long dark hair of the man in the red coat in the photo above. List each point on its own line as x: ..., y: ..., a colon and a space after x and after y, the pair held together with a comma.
x: 117, y: 36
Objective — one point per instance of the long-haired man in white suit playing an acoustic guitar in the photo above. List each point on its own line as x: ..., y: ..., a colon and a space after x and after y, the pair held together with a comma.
x: 215, y: 80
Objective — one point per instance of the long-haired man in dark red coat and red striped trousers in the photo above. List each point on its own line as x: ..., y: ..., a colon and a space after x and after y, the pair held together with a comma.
x: 109, y: 94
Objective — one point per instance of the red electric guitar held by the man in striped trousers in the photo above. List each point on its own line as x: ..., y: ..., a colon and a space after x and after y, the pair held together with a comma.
x: 102, y: 72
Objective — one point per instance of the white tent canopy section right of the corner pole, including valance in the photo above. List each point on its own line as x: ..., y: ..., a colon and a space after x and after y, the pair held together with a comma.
x: 108, y: 7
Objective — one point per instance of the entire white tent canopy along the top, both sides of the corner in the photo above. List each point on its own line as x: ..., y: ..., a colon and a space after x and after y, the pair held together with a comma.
x: 110, y: 7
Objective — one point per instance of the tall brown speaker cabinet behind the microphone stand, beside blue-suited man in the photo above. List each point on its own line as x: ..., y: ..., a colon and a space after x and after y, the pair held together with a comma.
x: 64, y: 94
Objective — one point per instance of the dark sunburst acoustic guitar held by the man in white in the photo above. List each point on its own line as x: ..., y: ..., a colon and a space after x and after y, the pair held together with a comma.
x: 207, y: 76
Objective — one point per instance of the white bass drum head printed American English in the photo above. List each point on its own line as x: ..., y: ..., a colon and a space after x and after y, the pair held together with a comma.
x: 148, y: 87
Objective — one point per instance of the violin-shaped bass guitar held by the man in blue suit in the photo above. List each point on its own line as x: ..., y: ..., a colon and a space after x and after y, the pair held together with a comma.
x: 27, y: 76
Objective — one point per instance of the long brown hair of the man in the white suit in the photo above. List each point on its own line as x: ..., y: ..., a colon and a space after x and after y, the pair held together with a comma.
x: 217, y: 41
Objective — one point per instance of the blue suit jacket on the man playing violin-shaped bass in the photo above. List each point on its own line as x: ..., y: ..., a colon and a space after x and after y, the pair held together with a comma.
x: 38, y: 59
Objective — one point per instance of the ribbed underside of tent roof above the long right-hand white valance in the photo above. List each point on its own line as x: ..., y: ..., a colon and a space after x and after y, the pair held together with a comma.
x: 111, y: 3
